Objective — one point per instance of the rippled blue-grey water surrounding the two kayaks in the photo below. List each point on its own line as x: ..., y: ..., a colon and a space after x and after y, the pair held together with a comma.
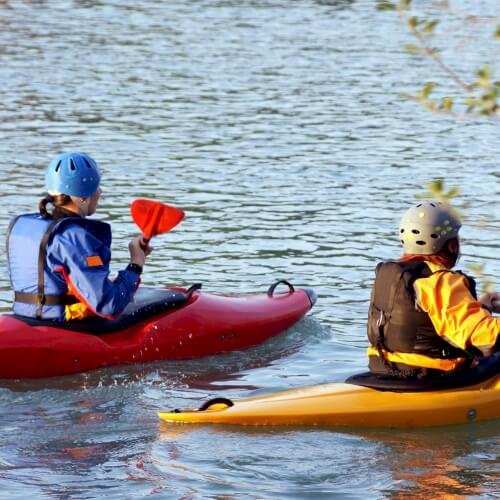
x: 277, y: 126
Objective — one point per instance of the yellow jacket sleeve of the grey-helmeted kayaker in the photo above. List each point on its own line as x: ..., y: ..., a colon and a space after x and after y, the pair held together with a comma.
x: 456, y: 315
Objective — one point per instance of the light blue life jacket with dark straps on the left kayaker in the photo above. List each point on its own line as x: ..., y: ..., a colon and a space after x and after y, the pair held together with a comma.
x: 39, y: 291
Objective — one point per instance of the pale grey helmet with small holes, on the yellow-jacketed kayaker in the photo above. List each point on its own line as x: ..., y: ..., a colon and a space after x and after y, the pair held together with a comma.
x: 426, y: 227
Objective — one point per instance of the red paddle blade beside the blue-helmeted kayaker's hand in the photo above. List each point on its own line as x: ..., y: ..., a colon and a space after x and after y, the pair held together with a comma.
x: 154, y: 217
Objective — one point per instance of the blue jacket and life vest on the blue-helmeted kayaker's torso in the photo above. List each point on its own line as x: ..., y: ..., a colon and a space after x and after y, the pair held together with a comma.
x: 77, y: 256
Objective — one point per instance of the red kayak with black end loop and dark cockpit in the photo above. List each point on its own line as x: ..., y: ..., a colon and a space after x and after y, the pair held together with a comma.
x: 160, y: 324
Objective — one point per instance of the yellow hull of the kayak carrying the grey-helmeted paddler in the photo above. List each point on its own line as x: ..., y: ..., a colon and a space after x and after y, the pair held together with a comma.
x: 340, y: 404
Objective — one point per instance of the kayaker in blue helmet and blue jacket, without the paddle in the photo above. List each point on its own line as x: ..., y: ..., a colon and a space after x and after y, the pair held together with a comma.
x: 59, y: 260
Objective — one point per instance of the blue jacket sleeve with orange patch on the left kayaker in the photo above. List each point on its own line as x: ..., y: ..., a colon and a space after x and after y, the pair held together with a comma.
x: 84, y: 262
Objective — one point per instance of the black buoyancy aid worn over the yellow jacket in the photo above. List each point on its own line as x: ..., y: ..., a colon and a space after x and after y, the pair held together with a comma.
x: 395, y: 324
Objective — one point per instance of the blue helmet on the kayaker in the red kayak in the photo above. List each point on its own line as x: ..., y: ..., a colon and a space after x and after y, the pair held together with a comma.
x: 74, y: 174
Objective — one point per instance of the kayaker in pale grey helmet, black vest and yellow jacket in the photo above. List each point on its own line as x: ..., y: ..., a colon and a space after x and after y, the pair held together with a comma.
x: 425, y: 320
